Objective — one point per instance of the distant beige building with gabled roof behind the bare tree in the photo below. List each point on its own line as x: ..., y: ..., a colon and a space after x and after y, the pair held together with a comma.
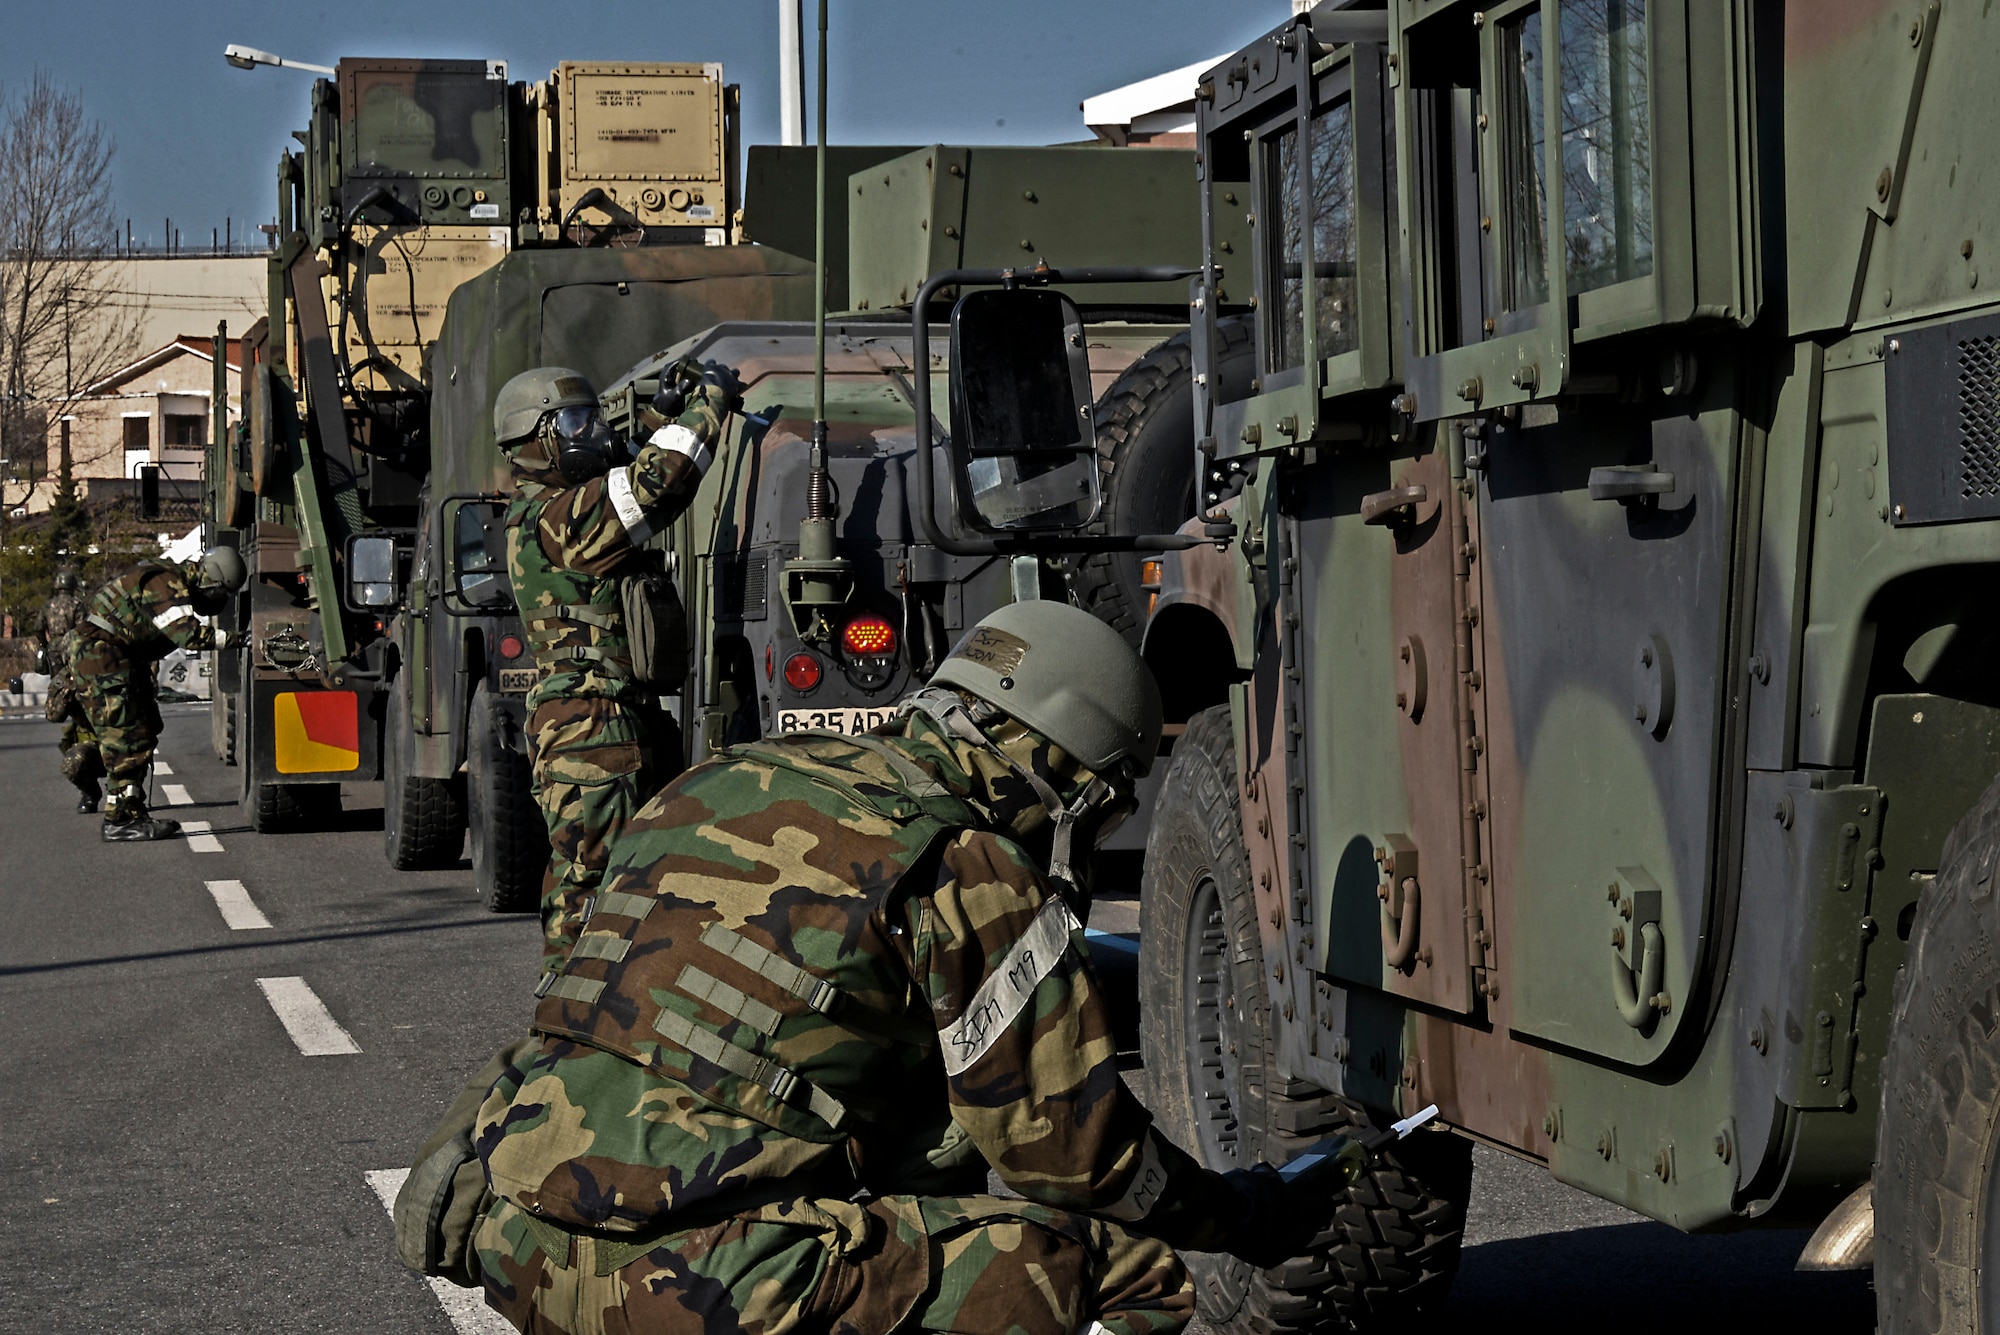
x: 149, y: 413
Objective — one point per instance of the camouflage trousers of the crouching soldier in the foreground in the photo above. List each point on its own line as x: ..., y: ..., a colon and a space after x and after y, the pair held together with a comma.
x: 971, y: 1266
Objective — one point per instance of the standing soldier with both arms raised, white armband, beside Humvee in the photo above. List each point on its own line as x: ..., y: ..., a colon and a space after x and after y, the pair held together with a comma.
x: 577, y: 529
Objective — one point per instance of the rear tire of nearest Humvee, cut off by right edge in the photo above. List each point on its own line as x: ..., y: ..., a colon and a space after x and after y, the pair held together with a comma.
x: 1937, y: 1182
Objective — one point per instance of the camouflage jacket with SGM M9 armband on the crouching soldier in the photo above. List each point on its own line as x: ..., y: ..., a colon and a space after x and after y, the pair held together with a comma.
x: 813, y: 970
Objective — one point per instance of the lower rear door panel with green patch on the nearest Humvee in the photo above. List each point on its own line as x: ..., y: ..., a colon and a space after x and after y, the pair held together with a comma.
x: 1605, y: 617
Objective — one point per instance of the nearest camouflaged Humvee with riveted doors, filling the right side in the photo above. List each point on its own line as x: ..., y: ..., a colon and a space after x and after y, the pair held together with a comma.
x: 1605, y: 734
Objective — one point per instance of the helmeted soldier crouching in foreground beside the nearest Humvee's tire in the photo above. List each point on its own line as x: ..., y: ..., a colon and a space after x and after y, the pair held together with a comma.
x: 827, y: 988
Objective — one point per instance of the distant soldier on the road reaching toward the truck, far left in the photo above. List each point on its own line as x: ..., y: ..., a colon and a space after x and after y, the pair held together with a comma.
x: 137, y: 621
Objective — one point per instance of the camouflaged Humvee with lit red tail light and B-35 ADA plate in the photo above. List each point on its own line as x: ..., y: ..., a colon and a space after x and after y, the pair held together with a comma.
x: 783, y: 639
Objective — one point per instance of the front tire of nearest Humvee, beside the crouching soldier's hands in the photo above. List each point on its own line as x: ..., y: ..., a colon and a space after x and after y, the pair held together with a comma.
x: 1215, y: 1086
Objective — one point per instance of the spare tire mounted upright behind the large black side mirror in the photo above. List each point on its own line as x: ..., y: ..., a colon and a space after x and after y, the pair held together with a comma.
x: 1145, y: 427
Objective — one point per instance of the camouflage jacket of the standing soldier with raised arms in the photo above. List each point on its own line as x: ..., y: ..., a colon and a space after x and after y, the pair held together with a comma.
x: 567, y: 551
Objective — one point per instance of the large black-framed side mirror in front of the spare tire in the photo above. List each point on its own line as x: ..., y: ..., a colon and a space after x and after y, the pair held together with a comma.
x: 1023, y: 439
